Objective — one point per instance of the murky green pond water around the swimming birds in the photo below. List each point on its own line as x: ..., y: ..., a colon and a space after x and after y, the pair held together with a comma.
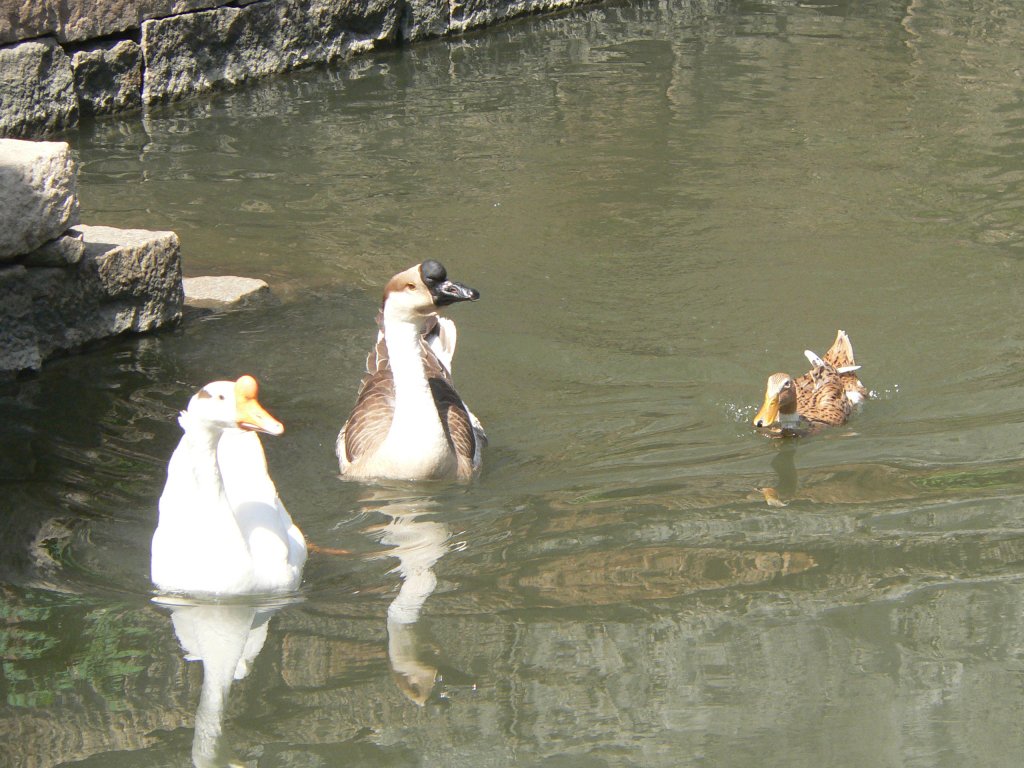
x: 661, y: 205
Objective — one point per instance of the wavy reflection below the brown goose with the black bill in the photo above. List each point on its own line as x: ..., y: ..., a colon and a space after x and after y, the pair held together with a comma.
x: 418, y: 544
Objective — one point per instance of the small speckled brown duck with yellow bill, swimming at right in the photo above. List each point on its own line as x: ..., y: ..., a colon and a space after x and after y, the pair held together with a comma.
x: 824, y: 397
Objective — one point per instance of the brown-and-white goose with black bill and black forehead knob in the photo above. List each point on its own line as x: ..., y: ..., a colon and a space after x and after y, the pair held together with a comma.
x: 409, y: 421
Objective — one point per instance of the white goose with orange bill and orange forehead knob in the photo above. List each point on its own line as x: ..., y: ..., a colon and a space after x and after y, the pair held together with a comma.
x: 223, y: 529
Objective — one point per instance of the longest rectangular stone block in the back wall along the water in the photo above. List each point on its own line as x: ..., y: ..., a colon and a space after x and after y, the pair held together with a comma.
x: 200, y: 52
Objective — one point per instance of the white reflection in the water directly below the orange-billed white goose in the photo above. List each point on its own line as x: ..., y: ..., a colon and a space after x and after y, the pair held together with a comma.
x: 227, y: 638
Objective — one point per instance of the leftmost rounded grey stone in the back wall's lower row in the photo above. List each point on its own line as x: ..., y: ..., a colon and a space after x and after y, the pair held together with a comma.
x: 37, y: 90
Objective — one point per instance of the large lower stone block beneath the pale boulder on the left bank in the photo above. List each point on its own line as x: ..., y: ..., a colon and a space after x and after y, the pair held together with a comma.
x: 127, y: 280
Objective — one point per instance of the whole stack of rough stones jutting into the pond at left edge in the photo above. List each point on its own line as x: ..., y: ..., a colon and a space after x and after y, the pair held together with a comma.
x: 64, y: 284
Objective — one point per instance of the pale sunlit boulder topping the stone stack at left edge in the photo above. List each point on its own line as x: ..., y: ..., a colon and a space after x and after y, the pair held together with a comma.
x: 38, y: 195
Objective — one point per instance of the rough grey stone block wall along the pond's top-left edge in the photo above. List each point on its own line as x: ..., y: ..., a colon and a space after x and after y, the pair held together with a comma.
x: 62, y: 60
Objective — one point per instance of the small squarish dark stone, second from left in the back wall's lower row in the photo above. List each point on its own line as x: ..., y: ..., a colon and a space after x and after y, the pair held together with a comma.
x: 109, y: 78
